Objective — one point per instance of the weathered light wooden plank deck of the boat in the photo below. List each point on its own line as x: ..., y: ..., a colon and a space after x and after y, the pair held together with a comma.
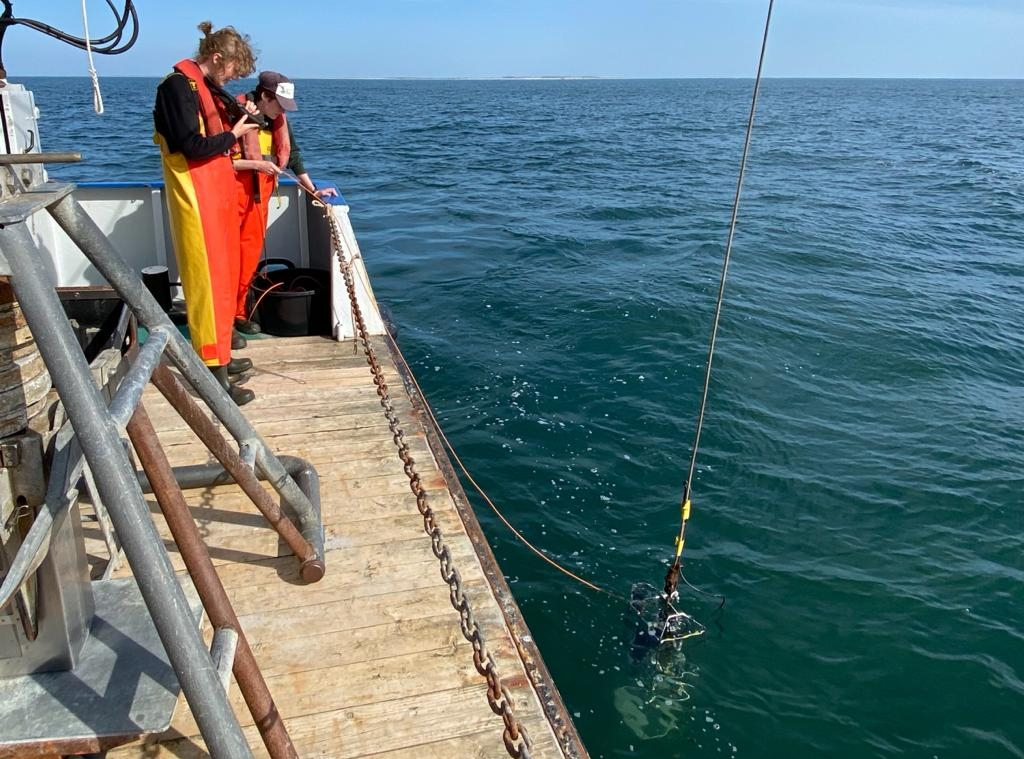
x: 371, y: 661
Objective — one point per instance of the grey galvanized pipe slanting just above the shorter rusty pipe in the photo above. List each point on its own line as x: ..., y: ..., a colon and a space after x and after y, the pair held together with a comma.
x: 73, y: 220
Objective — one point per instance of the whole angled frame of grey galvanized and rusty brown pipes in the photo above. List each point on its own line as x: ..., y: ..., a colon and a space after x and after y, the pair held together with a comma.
x: 98, y: 437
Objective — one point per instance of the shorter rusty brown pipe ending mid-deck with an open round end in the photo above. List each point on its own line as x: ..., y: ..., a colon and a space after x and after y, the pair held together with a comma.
x: 312, y: 565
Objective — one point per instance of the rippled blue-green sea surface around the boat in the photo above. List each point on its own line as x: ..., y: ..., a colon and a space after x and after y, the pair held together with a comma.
x: 551, y: 251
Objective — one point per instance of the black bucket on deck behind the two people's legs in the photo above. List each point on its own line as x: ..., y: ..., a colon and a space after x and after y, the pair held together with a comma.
x: 292, y: 302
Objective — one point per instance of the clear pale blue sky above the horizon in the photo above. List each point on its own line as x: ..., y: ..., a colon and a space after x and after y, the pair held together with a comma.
x: 492, y: 38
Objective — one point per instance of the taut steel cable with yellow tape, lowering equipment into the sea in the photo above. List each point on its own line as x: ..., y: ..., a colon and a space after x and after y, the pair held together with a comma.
x: 688, y: 489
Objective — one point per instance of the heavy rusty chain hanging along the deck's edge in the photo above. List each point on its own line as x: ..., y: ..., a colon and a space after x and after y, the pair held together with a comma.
x: 517, y: 741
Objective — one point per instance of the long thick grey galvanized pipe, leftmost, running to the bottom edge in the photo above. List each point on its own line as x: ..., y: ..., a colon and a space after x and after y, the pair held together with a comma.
x: 119, y: 488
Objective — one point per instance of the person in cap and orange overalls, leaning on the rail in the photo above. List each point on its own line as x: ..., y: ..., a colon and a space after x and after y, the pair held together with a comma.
x: 261, y: 158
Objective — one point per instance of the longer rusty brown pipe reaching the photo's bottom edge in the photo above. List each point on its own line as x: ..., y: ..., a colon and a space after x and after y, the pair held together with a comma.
x: 208, y: 585
